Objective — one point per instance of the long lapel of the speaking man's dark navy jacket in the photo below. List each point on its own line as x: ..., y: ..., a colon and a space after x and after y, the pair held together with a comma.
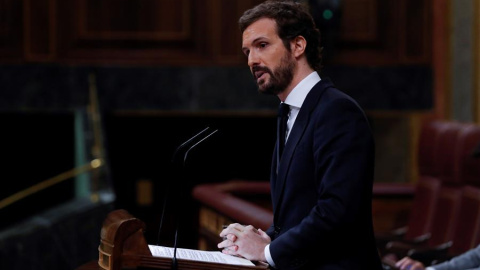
x: 296, y: 134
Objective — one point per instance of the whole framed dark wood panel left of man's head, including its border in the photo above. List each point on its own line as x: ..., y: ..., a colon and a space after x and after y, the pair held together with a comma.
x: 146, y: 31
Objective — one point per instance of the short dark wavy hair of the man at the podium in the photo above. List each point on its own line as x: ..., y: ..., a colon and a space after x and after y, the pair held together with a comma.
x: 293, y: 20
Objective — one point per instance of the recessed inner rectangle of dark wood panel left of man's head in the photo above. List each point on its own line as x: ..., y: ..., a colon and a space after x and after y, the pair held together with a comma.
x: 147, y: 20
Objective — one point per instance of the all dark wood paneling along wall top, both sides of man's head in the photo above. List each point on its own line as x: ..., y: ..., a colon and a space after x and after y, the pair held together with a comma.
x: 196, y: 32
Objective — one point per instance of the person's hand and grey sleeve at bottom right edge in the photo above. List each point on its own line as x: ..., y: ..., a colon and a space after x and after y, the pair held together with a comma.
x: 467, y: 260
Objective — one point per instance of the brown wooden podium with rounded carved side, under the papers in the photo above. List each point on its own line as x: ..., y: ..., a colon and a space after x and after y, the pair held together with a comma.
x: 123, y: 246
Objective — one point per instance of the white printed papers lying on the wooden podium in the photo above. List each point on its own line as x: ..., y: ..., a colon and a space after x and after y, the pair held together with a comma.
x: 199, y: 255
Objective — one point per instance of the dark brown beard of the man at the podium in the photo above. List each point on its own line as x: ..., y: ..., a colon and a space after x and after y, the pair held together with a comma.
x: 280, y: 77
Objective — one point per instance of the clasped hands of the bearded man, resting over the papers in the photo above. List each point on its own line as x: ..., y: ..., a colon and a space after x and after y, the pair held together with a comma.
x: 244, y: 241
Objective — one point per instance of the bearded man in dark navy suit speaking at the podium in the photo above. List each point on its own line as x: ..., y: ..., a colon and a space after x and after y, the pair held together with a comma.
x: 322, y: 185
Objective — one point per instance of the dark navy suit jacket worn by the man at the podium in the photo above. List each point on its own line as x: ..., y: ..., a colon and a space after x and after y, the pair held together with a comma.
x: 323, y: 190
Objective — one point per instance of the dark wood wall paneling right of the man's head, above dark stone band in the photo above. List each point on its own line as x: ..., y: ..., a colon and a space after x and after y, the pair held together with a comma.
x: 379, y: 32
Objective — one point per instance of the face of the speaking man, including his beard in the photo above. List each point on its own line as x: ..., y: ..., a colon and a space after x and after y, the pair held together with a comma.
x: 271, y: 64
